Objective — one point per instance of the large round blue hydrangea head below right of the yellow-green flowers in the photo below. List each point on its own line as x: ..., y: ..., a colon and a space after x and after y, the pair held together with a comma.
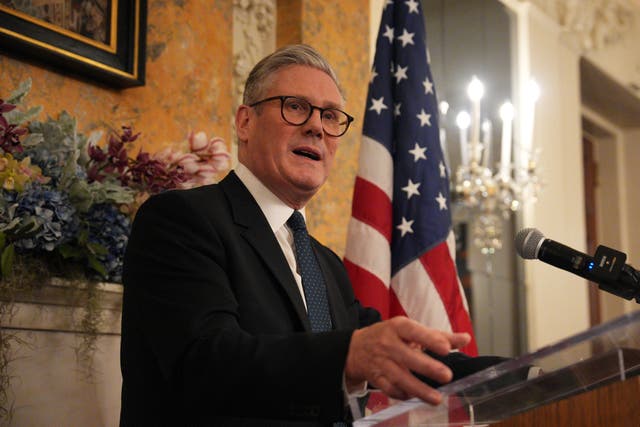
x: 54, y: 211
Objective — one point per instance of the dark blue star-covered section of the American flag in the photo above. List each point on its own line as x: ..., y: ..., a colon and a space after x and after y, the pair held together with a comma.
x: 402, y: 115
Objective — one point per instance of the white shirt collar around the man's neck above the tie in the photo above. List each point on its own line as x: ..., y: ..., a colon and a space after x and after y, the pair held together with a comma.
x: 275, y: 210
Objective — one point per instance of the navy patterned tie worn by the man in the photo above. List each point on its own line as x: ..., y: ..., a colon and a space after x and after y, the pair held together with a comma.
x: 315, y: 291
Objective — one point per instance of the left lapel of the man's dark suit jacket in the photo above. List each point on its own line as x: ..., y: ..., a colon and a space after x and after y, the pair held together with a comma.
x: 256, y: 230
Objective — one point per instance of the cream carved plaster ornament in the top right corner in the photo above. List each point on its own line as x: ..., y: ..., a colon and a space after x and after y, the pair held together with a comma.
x: 597, y: 23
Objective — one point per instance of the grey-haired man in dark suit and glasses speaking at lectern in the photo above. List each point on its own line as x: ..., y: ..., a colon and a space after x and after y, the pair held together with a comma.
x: 215, y: 329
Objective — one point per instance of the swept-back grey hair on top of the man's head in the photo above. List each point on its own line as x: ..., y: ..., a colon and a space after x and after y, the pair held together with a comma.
x: 260, y: 77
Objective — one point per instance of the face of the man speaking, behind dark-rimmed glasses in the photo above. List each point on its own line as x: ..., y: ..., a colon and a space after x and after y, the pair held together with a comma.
x: 292, y: 161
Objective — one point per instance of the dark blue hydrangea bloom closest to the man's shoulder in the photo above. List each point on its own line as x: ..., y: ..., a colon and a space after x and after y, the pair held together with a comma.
x: 109, y: 228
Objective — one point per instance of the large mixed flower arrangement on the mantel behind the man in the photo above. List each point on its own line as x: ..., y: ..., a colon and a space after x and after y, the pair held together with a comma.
x: 66, y: 199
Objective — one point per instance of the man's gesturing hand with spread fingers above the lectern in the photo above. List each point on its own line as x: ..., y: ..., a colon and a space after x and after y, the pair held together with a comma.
x: 386, y: 352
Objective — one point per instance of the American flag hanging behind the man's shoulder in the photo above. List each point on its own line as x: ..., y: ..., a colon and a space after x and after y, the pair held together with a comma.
x: 400, y: 248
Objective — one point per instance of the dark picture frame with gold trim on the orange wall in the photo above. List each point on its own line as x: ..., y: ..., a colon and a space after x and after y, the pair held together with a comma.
x: 103, y: 40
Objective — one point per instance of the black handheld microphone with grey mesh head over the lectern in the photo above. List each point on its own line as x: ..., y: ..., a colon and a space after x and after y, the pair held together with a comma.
x: 607, y: 267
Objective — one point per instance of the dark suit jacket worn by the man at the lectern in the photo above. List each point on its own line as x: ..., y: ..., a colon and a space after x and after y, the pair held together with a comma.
x: 214, y: 330
